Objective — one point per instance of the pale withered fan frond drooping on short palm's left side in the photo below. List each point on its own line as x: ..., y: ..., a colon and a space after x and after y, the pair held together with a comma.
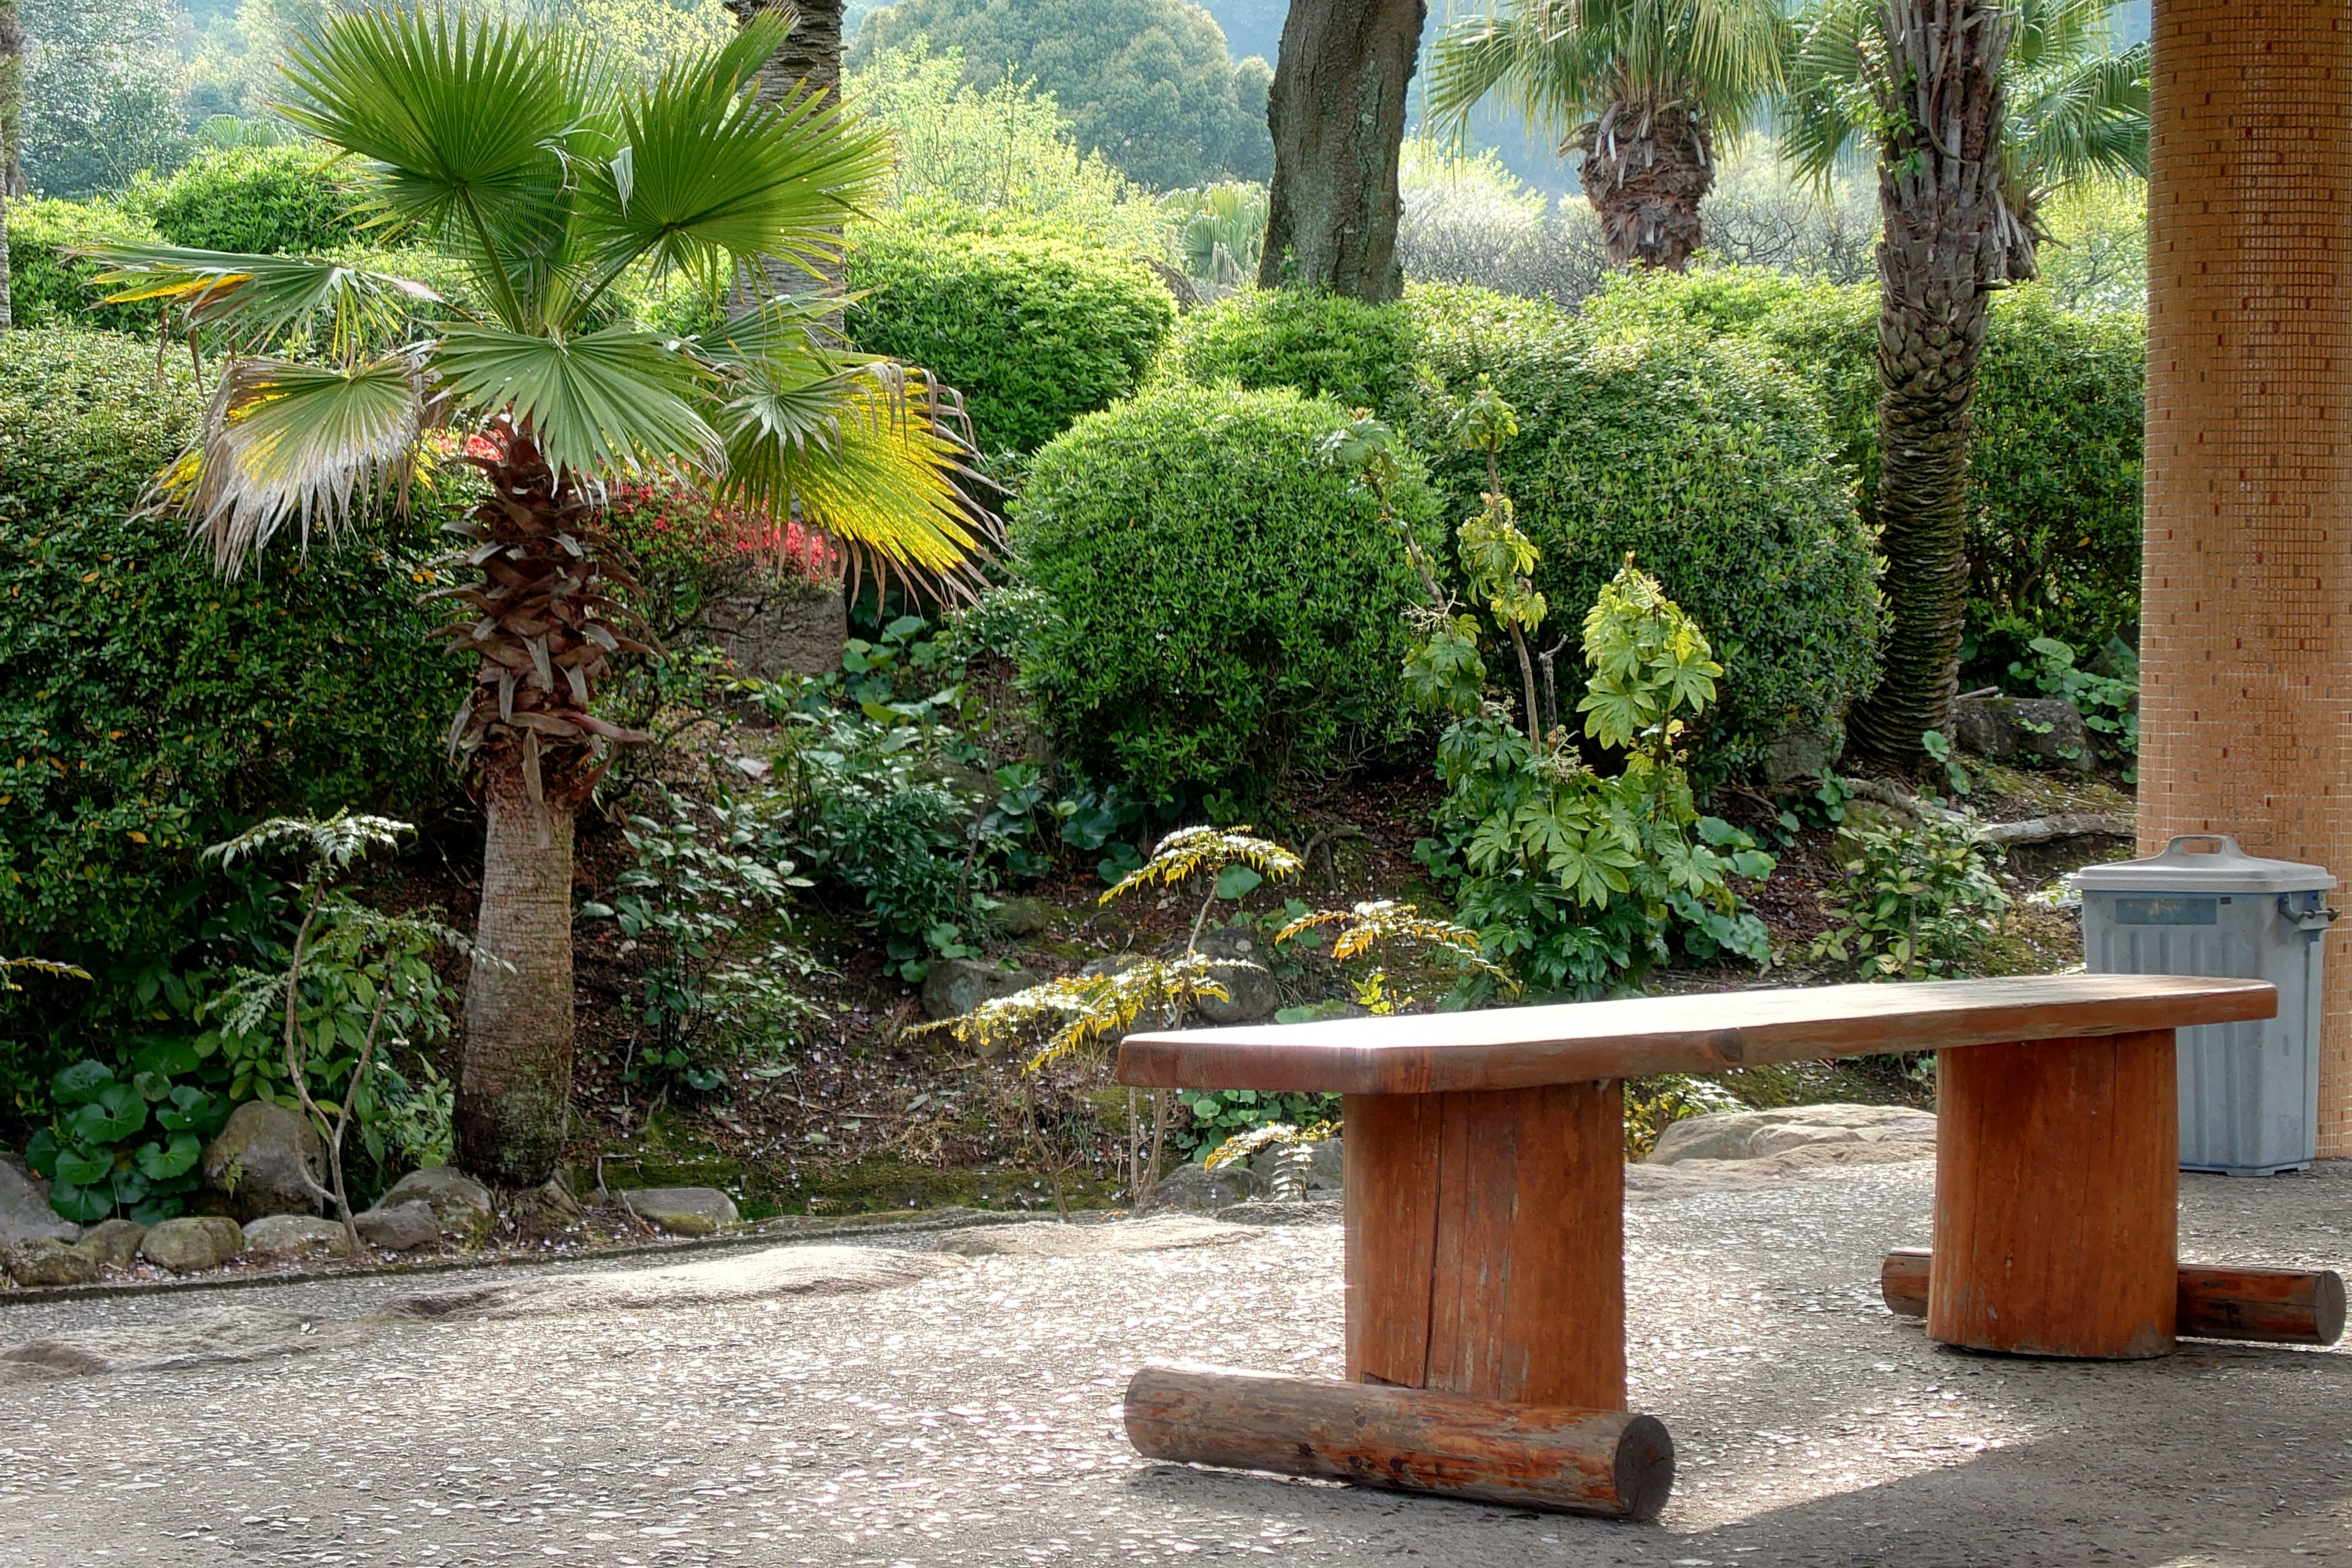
x: 295, y: 441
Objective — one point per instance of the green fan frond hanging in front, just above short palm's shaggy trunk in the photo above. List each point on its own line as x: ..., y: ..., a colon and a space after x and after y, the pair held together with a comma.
x: 613, y: 401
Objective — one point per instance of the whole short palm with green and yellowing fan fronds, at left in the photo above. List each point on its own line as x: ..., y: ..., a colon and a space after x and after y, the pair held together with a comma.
x: 554, y: 180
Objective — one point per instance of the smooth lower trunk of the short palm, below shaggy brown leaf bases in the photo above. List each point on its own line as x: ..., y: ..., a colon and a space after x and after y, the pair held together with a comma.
x: 516, y: 1076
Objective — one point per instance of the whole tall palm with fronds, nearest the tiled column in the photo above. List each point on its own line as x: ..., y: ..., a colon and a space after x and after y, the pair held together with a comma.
x: 1977, y: 112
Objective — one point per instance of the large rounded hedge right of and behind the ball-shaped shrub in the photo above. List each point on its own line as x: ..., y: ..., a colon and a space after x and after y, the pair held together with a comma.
x: 1706, y: 460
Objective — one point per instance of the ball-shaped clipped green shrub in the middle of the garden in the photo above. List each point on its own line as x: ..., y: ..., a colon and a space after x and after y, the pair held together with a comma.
x: 1227, y: 610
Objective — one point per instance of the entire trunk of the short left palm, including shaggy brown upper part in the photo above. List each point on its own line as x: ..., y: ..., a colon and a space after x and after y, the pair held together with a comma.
x: 542, y: 622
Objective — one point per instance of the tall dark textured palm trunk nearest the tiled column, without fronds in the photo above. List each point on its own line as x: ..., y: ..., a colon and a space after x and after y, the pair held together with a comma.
x: 1946, y: 246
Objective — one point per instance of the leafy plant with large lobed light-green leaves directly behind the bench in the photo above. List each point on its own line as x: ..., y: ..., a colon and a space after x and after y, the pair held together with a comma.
x: 1572, y: 878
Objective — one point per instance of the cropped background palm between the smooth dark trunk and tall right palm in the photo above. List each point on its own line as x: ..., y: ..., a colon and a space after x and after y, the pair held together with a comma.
x: 1645, y: 91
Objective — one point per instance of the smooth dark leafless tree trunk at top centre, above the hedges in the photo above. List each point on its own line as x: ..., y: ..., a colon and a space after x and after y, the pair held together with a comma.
x: 1337, y: 112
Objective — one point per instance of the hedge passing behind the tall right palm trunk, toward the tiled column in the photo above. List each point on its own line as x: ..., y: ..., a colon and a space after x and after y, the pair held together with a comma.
x: 2054, y: 481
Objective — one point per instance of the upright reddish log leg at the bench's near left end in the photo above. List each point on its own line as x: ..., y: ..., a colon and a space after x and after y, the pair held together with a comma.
x: 1488, y: 1245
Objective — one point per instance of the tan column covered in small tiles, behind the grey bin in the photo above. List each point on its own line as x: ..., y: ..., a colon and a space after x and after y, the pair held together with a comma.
x: 2247, y: 594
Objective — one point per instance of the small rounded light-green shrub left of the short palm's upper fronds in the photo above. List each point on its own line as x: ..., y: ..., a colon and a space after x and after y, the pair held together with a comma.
x: 281, y: 201
